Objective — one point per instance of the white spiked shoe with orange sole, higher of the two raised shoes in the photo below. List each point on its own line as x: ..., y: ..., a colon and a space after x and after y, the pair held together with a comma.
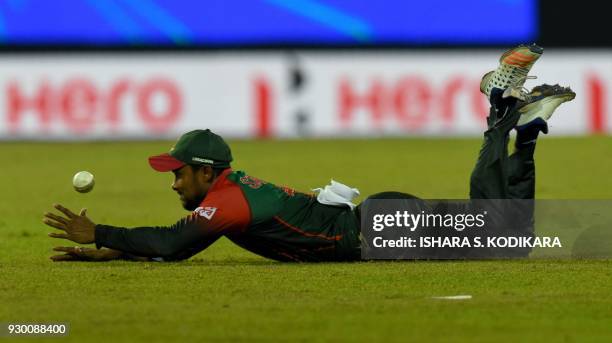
x: 513, y: 70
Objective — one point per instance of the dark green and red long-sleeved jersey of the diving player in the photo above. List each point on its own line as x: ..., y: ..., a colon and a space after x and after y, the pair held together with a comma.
x: 271, y: 221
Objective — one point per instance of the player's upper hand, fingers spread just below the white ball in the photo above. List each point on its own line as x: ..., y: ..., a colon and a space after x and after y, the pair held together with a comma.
x: 78, y: 228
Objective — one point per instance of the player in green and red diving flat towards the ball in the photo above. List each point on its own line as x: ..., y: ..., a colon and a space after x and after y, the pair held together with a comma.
x: 286, y: 225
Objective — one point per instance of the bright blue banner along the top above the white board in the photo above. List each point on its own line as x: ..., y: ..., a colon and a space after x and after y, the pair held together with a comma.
x: 266, y: 22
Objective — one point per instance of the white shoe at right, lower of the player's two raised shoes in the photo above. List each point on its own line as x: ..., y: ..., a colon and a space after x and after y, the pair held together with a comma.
x: 540, y: 104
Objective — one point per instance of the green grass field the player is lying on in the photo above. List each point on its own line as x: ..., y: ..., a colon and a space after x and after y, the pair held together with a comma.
x: 227, y: 294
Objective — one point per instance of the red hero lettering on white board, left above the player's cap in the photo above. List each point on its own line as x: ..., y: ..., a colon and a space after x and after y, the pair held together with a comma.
x: 81, y: 105
